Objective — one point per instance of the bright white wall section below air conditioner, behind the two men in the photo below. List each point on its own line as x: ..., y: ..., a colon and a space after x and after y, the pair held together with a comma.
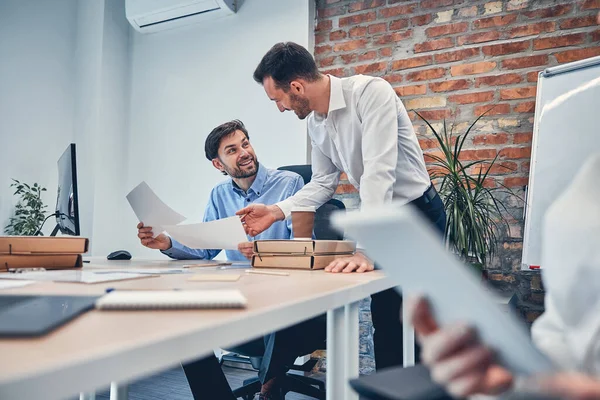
x: 185, y: 82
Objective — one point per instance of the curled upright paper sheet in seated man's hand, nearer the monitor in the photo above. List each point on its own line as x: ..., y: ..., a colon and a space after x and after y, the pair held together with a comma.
x: 151, y: 210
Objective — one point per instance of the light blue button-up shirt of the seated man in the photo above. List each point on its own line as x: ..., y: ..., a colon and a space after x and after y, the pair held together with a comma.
x: 269, y: 187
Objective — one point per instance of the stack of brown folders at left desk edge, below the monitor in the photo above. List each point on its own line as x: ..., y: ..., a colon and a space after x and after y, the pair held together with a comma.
x: 18, y: 252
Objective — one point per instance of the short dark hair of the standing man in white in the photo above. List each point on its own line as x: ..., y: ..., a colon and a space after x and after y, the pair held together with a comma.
x: 286, y: 62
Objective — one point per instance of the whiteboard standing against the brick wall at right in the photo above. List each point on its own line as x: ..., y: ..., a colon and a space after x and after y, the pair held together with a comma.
x: 565, y: 133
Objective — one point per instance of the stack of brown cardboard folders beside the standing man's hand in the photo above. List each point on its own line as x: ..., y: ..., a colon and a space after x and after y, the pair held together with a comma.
x: 300, y: 254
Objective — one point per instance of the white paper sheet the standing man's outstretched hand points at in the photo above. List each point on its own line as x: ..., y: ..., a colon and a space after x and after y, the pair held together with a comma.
x: 224, y: 233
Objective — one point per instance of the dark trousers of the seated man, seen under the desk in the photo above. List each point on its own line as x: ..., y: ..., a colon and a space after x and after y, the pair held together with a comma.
x: 278, y: 350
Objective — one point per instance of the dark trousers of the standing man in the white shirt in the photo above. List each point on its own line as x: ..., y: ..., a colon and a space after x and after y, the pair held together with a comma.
x: 386, y: 305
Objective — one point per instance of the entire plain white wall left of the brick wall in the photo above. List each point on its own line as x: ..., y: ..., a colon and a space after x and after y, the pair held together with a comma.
x: 138, y: 106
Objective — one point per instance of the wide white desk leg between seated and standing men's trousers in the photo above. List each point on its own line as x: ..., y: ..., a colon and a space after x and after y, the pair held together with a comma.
x: 336, y: 357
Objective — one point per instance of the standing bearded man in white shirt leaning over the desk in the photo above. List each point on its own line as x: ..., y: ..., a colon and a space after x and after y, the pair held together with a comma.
x: 359, y: 126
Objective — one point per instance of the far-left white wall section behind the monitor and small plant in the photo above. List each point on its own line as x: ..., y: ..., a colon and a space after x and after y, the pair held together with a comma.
x: 36, y: 95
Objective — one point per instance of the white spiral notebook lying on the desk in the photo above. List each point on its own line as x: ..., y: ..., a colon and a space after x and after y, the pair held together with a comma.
x: 171, y: 299
